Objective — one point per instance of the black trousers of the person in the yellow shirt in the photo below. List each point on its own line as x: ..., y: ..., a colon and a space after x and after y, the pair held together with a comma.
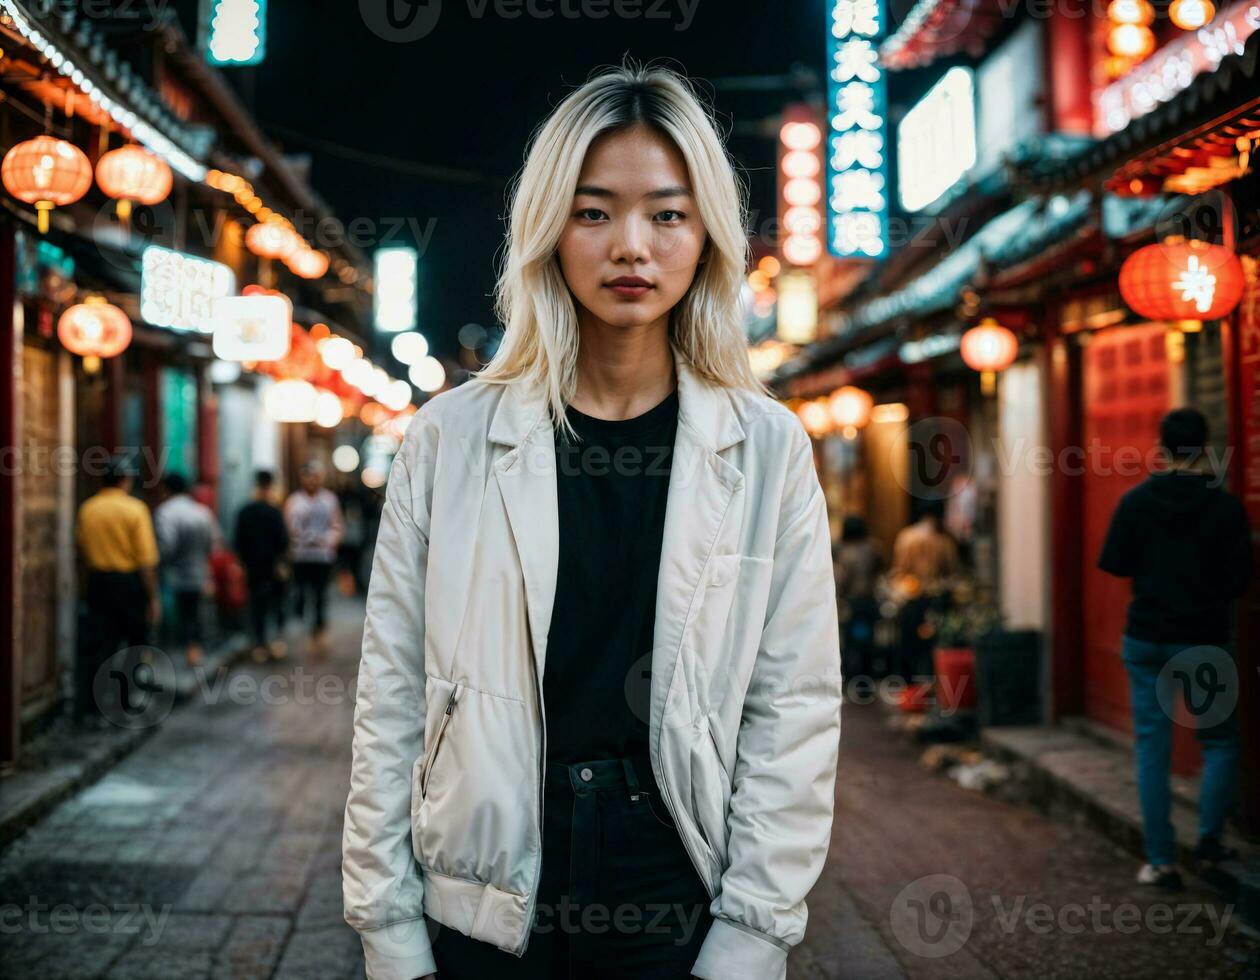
x: 117, y: 617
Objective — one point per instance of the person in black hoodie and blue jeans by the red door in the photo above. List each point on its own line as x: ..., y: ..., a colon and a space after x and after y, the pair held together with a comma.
x: 1186, y: 545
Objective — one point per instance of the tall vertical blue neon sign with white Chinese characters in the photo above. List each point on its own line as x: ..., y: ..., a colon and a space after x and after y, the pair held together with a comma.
x: 857, y: 202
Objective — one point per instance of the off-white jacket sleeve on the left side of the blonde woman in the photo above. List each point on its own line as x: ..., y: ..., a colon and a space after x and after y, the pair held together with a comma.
x: 382, y: 890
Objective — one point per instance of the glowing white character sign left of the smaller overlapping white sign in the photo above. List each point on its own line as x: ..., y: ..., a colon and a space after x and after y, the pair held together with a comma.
x: 180, y: 292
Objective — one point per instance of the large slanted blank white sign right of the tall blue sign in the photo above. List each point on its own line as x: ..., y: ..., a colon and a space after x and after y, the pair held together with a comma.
x: 937, y: 140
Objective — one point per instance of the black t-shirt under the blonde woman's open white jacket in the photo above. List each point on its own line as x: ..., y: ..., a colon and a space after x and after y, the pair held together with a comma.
x: 612, y: 491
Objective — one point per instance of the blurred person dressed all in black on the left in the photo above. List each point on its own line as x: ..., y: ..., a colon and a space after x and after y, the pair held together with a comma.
x: 263, y: 547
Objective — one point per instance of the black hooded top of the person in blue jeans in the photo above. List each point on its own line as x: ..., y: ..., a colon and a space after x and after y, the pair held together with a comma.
x: 1188, y: 547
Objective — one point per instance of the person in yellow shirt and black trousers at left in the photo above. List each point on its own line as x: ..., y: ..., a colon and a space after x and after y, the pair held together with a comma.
x: 117, y: 538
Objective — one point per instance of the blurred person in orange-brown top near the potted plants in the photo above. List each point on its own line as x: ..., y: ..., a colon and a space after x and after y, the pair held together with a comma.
x: 924, y: 565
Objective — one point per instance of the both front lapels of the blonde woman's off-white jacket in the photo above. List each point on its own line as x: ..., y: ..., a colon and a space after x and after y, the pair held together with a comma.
x: 702, y: 486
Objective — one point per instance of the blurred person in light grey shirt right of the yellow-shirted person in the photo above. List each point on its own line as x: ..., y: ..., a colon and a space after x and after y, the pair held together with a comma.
x: 187, y: 532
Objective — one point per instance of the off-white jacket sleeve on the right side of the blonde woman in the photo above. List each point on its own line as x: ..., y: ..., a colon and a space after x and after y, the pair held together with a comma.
x: 784, y: 784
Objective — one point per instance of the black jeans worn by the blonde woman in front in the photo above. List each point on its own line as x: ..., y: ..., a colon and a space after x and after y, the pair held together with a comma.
x: 618, y: 897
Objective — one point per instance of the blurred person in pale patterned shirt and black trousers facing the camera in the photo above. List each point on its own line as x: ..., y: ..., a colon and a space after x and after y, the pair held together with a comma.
x: 316, y: 530
